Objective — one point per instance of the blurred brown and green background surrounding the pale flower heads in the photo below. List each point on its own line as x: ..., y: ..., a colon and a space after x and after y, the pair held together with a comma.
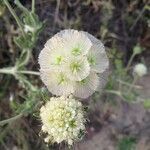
x: 117, y: 121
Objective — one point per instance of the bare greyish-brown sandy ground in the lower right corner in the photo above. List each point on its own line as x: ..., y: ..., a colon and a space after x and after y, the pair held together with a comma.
x: 127, y: 119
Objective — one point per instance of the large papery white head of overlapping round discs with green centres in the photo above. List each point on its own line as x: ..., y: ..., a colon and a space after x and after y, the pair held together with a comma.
x: 77, y: 57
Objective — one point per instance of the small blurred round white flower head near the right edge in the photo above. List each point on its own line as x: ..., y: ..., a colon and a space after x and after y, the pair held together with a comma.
x: 140, y: 70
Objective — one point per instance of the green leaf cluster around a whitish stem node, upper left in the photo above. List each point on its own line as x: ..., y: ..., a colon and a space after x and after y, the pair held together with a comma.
x: 32, y: 26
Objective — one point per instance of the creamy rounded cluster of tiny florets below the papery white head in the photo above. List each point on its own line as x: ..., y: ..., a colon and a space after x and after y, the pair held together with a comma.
x: 62, y: 120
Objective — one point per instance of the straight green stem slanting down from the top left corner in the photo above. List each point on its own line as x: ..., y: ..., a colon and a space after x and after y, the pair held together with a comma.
x: 15, y: 16
